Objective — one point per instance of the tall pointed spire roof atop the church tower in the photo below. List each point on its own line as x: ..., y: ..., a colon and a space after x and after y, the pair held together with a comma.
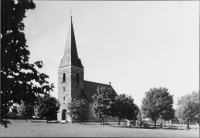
x: 71, y: 55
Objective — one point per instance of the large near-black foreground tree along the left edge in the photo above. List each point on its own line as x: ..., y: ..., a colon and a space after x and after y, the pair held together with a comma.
x: 20, y: 79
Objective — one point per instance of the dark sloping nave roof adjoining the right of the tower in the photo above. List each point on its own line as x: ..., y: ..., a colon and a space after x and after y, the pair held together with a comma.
x: 90, y: 88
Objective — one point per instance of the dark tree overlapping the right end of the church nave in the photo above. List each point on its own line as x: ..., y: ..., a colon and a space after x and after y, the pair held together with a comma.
x: 124, y: 108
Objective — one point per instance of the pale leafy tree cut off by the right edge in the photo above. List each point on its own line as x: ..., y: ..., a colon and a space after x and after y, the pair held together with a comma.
x: 188, y: 108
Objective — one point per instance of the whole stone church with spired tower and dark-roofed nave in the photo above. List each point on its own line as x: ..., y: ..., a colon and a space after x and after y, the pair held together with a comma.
x: 71, y: 83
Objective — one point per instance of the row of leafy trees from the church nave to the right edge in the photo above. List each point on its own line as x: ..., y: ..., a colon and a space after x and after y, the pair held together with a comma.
x: 157, y: 104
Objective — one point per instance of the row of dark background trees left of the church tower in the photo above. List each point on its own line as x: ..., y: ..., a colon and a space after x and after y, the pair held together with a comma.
x: 46, y: 108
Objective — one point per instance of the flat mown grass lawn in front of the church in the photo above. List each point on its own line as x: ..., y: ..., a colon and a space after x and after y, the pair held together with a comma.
x: 38, y: 128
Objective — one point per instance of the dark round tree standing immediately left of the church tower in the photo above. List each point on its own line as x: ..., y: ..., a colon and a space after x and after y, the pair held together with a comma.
x: 48, y: 107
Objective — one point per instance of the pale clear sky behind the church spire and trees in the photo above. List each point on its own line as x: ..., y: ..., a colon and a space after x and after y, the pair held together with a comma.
x: 135, y: 45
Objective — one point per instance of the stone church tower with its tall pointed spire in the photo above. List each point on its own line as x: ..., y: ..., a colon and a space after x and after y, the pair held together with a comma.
x: 70, y: 76
